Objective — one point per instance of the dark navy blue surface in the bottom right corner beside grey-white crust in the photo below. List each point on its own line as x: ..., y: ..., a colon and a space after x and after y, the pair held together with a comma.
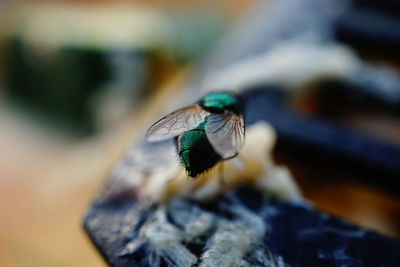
x: 309, y: 238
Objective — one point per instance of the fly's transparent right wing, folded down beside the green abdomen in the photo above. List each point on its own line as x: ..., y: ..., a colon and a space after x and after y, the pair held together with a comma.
x: 226, y: 133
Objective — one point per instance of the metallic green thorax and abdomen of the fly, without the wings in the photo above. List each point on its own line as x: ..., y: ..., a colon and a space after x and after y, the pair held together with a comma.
x: 194, y: 149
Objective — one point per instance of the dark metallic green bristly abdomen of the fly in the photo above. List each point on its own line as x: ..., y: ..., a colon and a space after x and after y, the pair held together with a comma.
x: 195, y: 151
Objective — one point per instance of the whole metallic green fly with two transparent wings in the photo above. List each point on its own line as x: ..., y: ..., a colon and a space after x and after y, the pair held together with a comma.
x: 207, y: 132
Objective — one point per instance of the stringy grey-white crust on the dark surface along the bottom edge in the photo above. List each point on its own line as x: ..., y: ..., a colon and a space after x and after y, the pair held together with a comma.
x: 179, y: 225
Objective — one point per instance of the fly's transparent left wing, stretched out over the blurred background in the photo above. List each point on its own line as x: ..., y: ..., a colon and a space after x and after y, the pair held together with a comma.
x: 176, y: 123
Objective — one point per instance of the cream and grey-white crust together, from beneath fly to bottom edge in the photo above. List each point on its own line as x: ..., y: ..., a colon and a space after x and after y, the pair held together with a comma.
x: 181, y: 231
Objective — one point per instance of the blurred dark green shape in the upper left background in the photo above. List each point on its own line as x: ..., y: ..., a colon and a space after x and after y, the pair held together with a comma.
x: 63, y: 84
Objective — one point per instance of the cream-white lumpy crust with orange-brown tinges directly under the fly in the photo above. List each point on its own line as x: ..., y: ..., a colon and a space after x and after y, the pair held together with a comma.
x: 152, y: 172
